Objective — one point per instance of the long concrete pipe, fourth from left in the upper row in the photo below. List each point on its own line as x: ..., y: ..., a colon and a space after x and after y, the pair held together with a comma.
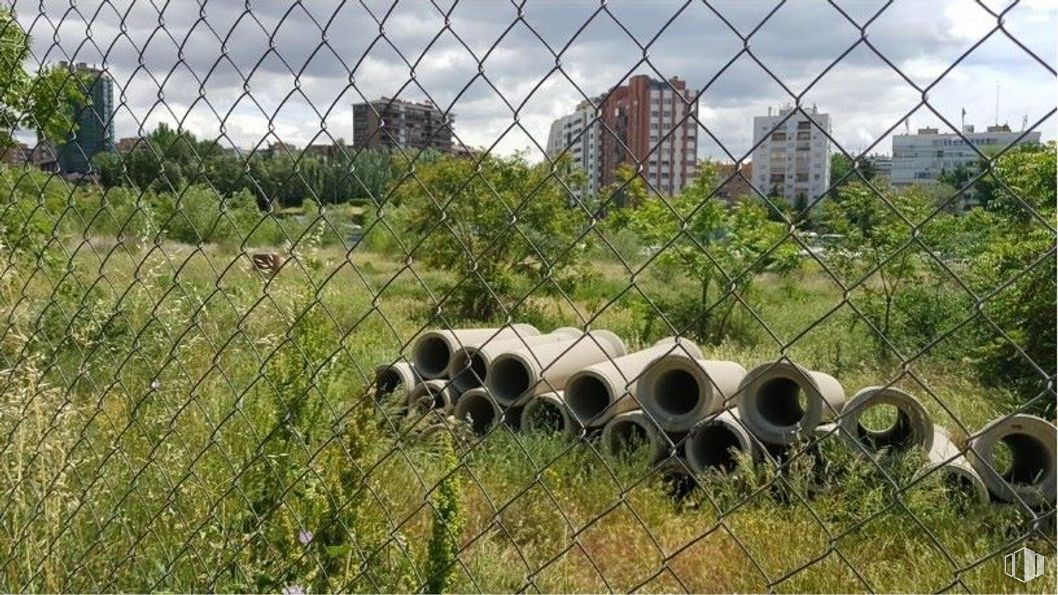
x: 599, y: 392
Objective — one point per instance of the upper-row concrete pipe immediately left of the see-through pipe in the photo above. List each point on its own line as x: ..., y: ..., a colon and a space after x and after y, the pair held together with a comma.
x: 782, y: 403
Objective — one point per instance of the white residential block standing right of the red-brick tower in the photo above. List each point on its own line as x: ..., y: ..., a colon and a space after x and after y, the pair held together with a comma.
x: 793, y: 159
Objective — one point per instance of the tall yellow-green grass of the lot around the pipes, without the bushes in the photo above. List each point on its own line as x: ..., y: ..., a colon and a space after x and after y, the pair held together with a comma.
x: 176, y: 420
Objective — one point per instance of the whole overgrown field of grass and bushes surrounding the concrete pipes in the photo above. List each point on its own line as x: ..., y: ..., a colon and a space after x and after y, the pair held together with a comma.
x: 174, y: 420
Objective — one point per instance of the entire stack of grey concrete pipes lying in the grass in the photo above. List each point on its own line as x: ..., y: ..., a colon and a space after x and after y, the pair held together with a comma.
x: 697, y: 416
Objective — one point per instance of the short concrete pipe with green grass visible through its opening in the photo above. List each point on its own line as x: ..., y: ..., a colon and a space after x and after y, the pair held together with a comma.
x: 910, y: 427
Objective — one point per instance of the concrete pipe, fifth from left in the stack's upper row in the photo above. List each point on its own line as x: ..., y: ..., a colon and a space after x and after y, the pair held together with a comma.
x: 679, y: 390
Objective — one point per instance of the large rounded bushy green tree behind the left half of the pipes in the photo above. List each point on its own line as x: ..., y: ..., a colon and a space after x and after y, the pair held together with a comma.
x: 501, y: 225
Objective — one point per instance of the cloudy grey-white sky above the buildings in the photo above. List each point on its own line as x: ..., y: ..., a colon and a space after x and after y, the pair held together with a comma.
x: 268, y: 73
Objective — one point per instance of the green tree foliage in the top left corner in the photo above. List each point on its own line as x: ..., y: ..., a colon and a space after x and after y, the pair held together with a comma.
x: 41, y: 101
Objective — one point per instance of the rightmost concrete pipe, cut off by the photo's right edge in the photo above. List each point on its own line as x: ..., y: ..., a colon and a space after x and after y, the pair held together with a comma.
x: 1027, y: 471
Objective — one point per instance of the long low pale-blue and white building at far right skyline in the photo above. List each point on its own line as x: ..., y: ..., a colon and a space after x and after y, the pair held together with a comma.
x: 923, y: 157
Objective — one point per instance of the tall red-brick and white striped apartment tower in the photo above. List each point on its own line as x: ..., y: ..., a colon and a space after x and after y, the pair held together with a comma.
x: 651, y: 123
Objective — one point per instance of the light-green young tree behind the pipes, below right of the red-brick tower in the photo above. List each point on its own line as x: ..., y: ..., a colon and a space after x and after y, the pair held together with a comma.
x: 723, y: 249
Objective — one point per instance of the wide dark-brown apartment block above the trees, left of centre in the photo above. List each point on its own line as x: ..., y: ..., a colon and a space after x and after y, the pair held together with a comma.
x: 391, y: 123
